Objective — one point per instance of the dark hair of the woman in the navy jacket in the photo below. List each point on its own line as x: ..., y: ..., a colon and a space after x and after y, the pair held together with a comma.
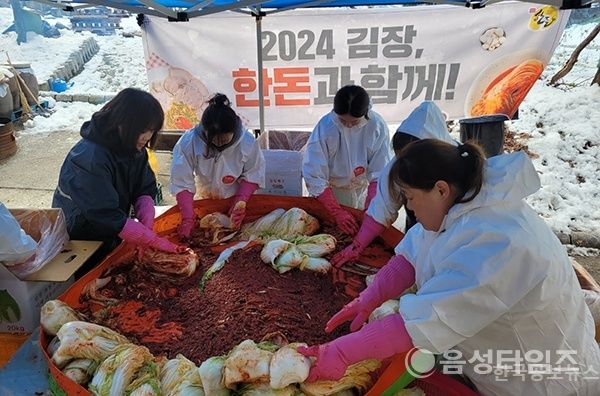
x: 131, y: 113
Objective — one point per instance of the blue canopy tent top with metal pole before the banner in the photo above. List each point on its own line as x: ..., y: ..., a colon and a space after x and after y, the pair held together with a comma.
x: 182, y: 10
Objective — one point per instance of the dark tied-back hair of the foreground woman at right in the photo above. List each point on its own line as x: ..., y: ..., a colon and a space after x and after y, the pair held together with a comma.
x: 424, y: 162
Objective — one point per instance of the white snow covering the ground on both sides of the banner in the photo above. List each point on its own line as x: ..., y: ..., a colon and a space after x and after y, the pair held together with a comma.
x: 560, y: 125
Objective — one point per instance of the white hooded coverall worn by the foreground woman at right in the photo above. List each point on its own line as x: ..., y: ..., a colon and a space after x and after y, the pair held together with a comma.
x: 495, y: 279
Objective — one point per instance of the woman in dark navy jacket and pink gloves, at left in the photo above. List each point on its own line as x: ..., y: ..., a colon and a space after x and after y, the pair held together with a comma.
x: 107, y: 173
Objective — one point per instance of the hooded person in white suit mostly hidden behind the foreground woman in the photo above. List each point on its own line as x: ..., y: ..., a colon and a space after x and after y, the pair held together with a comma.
x: 425, y: 122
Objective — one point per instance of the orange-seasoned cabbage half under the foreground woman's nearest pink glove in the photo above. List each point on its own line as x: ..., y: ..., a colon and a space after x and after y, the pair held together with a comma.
x: 358, y: 376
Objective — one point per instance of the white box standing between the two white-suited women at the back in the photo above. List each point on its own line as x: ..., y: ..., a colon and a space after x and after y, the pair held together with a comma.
x: 283, y: 175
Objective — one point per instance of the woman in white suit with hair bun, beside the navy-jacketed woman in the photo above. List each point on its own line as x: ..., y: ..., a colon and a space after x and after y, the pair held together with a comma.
x: 217, y: 159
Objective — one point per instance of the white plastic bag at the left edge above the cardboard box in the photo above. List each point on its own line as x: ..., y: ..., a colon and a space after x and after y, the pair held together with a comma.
x: 15, y: 245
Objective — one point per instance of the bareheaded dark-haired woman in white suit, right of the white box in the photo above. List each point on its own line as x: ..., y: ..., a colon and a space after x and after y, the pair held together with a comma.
x: 344, y: 155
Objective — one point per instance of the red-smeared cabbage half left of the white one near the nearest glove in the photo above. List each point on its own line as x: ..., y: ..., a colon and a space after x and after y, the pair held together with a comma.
x: 247, y: 363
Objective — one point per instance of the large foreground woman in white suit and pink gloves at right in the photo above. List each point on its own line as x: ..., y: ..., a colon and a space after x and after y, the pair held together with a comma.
x: 495, y: 285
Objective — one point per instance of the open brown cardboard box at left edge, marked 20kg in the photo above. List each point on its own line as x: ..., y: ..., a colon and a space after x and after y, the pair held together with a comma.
x: 21, y: 299
